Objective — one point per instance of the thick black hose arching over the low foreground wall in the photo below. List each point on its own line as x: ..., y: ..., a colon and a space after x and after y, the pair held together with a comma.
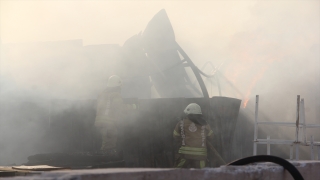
x: 267, y: 158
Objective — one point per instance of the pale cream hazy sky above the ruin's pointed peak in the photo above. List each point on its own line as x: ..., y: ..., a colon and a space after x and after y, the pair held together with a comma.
x: 251, y: 36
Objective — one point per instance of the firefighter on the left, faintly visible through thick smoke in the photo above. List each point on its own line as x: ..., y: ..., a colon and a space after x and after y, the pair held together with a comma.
x: 108, y: 111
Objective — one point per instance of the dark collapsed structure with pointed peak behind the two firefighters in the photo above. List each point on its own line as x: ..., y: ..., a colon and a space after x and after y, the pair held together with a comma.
x: 149, y: 61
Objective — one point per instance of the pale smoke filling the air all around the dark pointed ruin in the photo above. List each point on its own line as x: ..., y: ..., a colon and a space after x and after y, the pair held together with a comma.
x: 57, y: 50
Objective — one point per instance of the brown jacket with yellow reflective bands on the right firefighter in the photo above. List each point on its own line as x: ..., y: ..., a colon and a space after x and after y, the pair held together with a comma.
x: 193, y: 138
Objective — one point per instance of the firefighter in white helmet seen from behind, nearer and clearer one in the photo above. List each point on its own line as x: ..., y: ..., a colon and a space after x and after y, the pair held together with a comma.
x: 192, y: 133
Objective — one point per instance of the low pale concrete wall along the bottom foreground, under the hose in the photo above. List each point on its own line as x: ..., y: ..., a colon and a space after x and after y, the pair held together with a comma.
x: 261, y: 171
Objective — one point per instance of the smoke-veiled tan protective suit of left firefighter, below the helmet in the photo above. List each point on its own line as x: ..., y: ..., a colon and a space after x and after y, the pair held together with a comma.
x: 109, y: 109
